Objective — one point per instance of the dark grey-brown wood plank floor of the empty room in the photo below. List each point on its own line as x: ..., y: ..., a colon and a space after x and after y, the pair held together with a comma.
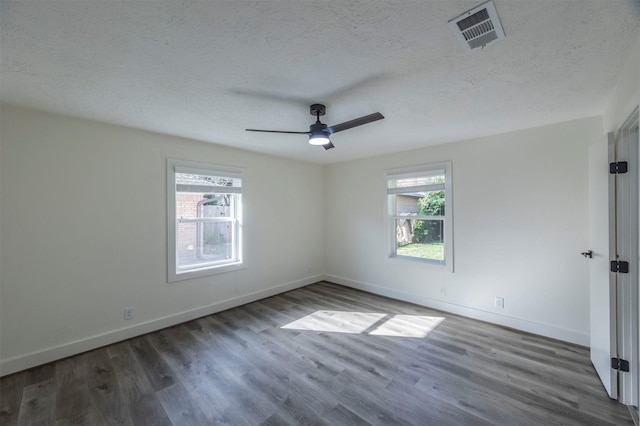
x: 322, y: 354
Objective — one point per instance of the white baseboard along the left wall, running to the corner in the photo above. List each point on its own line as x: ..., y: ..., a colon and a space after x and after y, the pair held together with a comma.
x: 64, y: 350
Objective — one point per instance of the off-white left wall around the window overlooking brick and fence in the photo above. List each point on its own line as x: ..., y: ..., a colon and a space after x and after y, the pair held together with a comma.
x: 84, y: 234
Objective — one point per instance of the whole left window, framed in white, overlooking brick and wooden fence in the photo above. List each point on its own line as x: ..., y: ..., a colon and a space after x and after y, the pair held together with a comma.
x: 205, y: 219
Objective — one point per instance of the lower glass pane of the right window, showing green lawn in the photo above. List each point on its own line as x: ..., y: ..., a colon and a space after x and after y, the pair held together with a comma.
x: 423, y: 239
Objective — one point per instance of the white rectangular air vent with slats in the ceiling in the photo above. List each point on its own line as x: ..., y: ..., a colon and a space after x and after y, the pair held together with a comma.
x: 478, y: 26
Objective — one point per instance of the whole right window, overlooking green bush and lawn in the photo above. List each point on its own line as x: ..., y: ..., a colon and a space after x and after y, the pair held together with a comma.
x: 419, y: 214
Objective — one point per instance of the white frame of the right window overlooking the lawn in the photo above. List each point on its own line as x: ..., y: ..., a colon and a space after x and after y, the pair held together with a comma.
x: 391, y: 213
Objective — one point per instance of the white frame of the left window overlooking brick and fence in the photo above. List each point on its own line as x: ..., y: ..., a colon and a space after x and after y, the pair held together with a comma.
x: 174, y: 271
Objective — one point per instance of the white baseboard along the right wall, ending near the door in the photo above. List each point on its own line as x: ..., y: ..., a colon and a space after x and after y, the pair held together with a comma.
x: 547, y: 330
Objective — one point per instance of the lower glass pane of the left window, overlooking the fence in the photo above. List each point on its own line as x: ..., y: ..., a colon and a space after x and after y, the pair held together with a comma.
x: 204, y: 242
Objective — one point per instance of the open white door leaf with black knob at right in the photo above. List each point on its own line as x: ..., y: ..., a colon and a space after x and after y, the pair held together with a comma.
x: 602, y: 294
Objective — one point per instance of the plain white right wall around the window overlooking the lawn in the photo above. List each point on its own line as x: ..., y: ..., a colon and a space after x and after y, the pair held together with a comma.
x: 519, y: 224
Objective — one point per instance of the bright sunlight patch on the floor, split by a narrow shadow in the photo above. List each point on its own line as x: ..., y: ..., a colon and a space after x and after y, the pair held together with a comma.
x: 372, y: 323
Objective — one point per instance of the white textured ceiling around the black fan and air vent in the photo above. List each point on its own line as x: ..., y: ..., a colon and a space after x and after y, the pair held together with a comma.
x: 209, y: 69
